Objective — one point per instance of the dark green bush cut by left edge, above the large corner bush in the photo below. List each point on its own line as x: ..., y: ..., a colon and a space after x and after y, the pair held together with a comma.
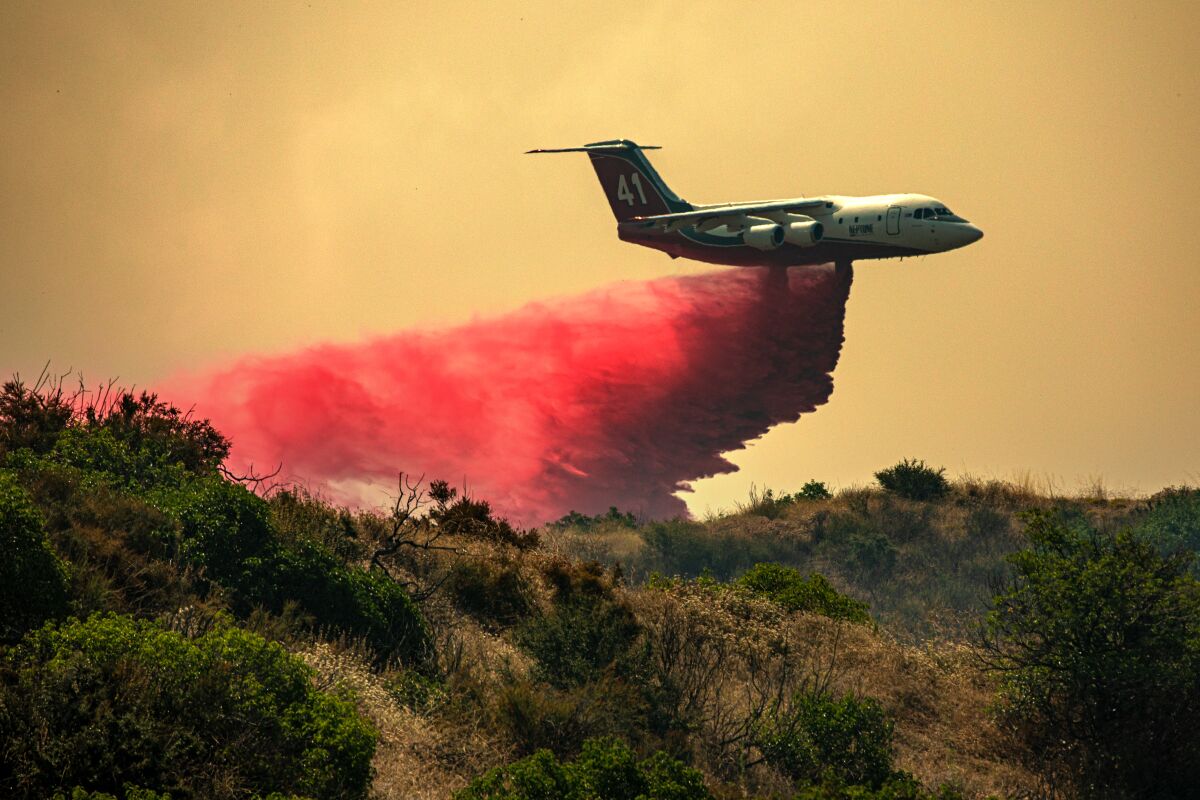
x: 33, y: 580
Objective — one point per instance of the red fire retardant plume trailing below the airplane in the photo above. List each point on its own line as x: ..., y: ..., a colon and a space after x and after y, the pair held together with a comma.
x: 617, y: 398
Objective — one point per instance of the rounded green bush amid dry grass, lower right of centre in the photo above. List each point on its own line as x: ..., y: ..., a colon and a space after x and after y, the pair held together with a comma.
x: 818, y: 738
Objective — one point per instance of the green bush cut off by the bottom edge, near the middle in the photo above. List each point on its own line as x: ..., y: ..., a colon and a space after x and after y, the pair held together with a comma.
x: 607, y: 771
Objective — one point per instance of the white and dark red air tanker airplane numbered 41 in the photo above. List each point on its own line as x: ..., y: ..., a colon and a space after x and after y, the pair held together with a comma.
x: 773, y: 233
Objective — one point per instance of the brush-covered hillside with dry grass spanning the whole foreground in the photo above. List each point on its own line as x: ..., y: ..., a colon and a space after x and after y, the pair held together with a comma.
x: 170, y: 631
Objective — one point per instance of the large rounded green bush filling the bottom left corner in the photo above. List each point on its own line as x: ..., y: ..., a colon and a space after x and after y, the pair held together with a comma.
x: 111, y: 701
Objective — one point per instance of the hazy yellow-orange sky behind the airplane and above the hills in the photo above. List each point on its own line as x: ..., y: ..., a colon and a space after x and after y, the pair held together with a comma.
x: 183, y: 183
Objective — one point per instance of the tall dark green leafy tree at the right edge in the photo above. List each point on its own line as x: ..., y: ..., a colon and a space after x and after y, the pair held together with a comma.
x: 1097, y: 642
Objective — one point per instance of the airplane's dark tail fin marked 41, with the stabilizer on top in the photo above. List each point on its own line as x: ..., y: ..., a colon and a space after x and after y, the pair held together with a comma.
x: 633, y: 187
